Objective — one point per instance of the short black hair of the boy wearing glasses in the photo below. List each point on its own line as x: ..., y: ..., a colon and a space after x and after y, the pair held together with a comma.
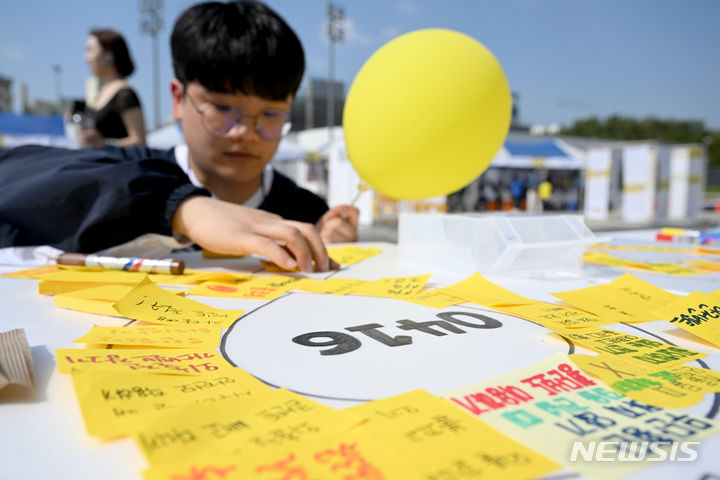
x: 237, y: 46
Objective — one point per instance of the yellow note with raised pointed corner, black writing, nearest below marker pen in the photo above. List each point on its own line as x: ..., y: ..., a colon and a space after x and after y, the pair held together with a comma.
x: 152, y: 304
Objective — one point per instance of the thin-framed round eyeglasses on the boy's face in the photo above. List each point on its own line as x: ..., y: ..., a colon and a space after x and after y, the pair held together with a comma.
x: 225, y: 121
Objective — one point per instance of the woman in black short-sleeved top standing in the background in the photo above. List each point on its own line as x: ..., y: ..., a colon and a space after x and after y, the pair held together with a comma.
x: 116, y: 114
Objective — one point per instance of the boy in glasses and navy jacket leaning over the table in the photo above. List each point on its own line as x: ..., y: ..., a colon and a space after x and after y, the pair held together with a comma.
x: 237, y: 67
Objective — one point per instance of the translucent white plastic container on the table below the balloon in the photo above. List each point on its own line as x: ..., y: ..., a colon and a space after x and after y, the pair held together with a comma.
x: 494, y: 242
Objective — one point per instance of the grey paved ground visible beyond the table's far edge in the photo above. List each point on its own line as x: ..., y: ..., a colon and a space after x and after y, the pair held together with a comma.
x: 706, y: 219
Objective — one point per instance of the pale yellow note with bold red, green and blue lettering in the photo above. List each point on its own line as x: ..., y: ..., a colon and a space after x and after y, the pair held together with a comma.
x: 553, y: 406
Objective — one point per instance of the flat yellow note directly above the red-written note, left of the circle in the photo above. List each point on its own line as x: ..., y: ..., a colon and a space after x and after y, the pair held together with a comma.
x: 160, y: 336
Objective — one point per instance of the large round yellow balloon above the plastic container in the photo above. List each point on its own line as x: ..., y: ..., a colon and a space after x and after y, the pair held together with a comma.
x: 426, y: 114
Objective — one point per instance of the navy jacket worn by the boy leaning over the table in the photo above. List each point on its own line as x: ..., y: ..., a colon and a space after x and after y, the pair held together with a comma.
x: 88, y: 200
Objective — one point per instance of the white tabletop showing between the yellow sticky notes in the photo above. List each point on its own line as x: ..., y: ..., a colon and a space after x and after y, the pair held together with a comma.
x: 46, y: 437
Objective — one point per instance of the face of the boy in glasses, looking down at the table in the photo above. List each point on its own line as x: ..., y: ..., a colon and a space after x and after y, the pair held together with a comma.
x: 239, y: 158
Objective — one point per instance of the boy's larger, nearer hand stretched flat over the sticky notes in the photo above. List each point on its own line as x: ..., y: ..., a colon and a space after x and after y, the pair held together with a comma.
x: 227, y: 228
